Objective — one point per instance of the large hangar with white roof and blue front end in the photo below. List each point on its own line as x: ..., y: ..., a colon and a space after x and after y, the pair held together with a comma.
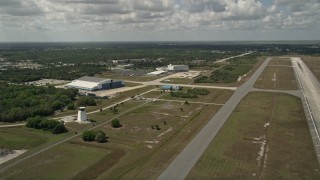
x: 94, y: 83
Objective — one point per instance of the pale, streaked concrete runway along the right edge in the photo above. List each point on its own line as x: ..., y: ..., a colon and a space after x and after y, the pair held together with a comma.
x: 311, y: 100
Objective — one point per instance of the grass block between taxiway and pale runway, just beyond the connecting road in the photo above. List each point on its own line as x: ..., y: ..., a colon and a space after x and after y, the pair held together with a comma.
x: 277, y: 77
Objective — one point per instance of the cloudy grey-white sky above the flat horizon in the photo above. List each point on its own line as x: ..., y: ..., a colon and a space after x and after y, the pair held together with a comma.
x: 158, y: 20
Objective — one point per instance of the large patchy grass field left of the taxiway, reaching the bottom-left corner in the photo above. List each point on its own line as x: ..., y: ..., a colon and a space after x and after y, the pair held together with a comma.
x: 134, y: 150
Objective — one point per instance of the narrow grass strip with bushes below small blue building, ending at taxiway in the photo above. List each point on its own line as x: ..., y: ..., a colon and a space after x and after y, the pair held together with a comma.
x: 218, y: 96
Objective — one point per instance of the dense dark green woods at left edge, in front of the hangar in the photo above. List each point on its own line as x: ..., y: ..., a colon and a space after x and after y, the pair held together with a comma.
x: 19, y: 102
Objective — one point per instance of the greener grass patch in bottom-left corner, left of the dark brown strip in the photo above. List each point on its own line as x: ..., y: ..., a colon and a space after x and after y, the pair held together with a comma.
x: 63, y: 161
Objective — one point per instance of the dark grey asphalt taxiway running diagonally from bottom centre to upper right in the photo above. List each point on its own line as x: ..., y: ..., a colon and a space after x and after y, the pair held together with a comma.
x: 182, y: 164
